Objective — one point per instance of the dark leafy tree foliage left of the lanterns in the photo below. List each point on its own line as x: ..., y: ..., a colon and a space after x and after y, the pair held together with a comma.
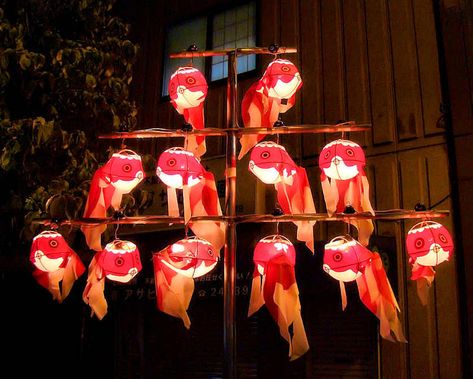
x: 65, y: 71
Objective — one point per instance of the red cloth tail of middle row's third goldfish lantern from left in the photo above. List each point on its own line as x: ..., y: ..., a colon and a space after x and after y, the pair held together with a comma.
x: 296, y: 198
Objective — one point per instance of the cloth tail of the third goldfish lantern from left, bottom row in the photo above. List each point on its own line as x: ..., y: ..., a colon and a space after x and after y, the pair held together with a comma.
x: 173, y: 290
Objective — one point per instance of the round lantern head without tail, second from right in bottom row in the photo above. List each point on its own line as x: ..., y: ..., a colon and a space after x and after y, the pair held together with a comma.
x: 345, y: 258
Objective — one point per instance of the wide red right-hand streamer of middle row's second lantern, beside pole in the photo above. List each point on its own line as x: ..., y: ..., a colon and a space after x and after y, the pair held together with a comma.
x: 204, y: 202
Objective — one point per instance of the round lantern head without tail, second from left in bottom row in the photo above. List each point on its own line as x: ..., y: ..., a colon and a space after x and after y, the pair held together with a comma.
x: 120, y: 261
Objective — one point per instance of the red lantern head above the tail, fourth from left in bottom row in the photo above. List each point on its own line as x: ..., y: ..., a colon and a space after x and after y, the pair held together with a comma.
x: 273, y: 247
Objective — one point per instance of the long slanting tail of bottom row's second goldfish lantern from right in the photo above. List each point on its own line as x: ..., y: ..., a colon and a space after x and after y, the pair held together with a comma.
x: 377, y: 295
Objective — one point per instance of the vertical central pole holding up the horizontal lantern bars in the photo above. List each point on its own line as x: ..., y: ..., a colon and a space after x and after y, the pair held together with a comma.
x: 229, y: 258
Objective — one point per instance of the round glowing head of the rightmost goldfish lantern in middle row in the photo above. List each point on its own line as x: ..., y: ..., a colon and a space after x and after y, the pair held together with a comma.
x: 342, y: 159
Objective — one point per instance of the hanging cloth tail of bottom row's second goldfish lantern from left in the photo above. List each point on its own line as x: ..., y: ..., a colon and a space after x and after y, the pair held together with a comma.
x: 93, y: 294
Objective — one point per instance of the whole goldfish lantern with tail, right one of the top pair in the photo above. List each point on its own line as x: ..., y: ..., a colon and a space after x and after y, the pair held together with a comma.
x: 271, y: 95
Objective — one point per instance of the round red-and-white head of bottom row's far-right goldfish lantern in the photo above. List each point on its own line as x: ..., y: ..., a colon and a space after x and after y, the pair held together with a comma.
x: 429, y: 243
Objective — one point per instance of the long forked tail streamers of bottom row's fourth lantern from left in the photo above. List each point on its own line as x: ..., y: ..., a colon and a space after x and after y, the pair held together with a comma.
x: 278, y: 290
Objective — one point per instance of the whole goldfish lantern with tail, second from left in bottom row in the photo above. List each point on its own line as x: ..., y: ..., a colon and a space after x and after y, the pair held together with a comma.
x: 119, y: 261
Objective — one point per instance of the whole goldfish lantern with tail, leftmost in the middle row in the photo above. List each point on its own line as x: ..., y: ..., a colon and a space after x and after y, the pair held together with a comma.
x: 119, y: 176
